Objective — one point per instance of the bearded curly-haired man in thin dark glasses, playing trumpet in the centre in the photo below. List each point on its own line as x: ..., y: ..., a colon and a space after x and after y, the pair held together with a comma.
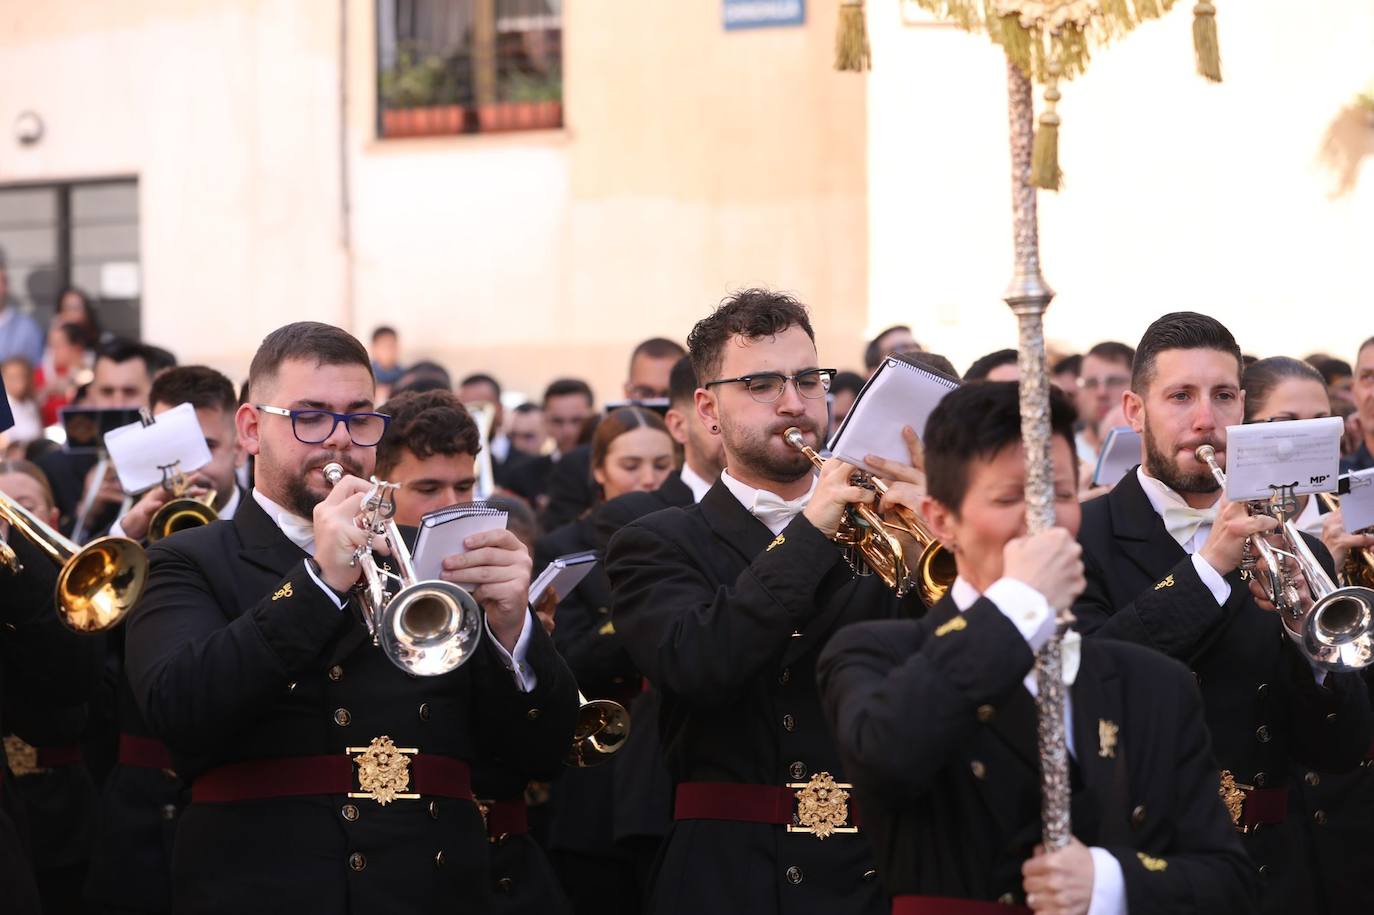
x: 725, y: 605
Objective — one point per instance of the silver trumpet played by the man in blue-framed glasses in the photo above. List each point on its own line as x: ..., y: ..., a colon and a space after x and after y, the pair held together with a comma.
x: 427, y: 629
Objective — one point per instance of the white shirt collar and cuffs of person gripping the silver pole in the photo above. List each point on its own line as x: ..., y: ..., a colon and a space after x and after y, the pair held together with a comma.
x: 1031, y: 615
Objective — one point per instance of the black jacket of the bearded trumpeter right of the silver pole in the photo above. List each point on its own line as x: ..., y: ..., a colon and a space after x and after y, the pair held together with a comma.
x: 1263, y: 705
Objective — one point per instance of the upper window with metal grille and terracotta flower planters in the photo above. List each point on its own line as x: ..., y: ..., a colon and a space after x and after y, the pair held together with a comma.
x: 469, y: 67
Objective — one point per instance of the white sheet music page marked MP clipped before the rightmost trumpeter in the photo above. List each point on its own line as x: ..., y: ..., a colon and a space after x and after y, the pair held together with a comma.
x: 1305, y: 454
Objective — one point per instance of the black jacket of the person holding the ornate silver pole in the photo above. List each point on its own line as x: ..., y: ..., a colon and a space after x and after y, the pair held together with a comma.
x: 939, y: 734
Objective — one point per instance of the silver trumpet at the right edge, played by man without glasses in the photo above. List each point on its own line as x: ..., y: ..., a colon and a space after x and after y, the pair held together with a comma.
x: 1338, y: 631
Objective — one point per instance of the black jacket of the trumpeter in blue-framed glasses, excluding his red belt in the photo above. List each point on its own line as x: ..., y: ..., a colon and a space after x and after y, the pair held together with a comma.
x: 237, y: 655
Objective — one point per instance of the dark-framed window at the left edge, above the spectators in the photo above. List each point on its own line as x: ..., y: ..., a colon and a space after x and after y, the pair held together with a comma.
x: 82, y: 234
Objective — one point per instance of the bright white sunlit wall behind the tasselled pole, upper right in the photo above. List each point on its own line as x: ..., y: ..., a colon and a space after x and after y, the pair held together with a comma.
x: 1180, y: 194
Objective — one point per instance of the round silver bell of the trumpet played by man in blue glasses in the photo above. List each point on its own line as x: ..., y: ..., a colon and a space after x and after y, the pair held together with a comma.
x: 429, y: 629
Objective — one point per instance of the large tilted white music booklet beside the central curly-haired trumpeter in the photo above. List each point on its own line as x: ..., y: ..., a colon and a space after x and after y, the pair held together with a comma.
x: 898, y: 395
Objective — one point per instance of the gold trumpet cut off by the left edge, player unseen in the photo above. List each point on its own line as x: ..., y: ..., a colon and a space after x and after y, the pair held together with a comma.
x: 98, y: 585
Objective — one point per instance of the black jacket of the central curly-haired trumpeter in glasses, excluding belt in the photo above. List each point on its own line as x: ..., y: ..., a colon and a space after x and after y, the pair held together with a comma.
x: 726, y: 622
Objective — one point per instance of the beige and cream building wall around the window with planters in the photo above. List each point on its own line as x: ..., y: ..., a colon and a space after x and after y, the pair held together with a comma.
x: 695, y: 161
